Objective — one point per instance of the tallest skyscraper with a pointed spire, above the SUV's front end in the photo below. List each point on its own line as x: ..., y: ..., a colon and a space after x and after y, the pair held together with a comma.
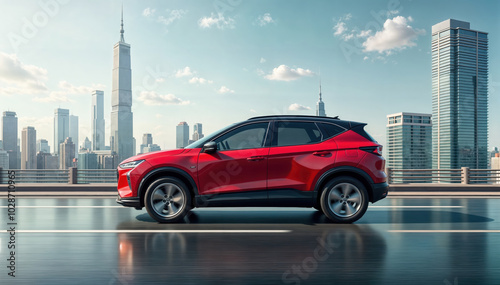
x: 122, y: 141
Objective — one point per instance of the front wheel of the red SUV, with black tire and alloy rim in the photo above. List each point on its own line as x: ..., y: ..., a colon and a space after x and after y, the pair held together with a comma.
x: 167, y: 200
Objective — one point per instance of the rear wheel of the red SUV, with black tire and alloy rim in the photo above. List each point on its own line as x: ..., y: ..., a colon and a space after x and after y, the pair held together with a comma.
x: 344, y: 199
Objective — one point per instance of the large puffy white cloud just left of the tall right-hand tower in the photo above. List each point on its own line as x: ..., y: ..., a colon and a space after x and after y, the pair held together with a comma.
x: 396, y: 34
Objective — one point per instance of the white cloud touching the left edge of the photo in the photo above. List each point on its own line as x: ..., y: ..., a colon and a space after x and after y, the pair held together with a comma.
x: 19, y: 78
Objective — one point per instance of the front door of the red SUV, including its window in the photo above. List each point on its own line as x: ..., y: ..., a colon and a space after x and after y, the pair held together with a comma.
x: 239, y: 164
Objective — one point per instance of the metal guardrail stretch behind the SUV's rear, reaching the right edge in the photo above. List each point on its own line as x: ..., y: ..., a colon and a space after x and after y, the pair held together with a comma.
x: 463, y: 176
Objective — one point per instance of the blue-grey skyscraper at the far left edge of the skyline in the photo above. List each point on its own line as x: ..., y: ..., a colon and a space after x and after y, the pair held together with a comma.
x: 9, y: 137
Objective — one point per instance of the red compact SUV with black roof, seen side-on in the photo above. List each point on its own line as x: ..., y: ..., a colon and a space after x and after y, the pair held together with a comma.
x: 279, y: 161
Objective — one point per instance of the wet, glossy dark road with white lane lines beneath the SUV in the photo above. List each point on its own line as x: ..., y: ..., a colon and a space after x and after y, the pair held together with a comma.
x: 398, y: 241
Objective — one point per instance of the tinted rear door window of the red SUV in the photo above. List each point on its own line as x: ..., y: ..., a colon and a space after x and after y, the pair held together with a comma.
x: 297, y: 133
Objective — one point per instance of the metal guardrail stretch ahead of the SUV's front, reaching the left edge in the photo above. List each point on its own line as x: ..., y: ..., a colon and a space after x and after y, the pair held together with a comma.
x: 71, y: 176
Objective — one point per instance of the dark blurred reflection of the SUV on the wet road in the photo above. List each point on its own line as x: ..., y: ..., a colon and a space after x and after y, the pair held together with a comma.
x: 336, y: 252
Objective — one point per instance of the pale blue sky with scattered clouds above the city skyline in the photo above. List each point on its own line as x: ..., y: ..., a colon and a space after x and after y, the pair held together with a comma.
x: 218, y: 62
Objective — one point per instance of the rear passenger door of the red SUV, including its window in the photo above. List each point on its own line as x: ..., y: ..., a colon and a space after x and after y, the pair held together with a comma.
x: 299, y: 152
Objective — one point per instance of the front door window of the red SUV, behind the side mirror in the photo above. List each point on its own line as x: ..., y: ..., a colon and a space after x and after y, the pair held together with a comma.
x: 247, y: 136
